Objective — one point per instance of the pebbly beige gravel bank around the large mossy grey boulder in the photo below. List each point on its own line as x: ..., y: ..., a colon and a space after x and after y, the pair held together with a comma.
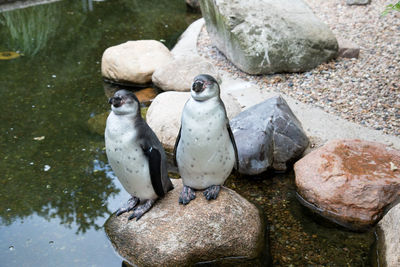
x: 364, y: 90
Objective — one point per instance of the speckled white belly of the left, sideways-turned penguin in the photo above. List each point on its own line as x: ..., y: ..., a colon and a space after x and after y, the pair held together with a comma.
x: 127, y: 159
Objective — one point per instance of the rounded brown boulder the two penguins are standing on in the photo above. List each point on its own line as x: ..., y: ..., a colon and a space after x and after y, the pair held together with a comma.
x: 174, y: 235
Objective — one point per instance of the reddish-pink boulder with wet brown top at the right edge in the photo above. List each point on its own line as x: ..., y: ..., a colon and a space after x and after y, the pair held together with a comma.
x: 349, y: 181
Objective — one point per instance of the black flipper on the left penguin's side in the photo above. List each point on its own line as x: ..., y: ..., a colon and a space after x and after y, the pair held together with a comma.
x: 154, y: 158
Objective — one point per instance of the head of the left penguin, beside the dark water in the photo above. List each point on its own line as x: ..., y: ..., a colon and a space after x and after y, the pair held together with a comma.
x: 124, y: 102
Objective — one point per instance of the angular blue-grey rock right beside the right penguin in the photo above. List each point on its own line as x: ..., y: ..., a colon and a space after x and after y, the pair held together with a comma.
x: 268, y: 135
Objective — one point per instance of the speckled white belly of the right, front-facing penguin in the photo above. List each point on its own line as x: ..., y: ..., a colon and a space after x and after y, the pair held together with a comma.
x: 205, y: 153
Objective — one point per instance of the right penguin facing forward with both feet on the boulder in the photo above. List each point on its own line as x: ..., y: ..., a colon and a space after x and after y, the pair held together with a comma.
x: 205, y: 150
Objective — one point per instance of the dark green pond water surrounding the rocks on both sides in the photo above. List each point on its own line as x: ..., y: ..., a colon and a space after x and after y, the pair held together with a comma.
x: 56, y: 190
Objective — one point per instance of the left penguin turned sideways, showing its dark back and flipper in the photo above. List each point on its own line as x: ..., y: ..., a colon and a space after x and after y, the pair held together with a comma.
x: 135, y: 155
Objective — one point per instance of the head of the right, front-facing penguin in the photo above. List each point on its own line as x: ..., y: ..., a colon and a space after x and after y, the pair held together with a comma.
x: 204, y: 87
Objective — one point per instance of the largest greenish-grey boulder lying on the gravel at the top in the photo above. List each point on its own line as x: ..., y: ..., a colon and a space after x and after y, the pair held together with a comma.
x: 269, y: 36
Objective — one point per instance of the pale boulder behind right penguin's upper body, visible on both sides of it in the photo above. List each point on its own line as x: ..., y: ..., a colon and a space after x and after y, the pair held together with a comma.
x: 164, y: 114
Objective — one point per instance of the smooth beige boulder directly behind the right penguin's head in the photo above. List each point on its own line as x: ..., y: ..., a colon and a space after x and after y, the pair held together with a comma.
x: 179, y: 74
